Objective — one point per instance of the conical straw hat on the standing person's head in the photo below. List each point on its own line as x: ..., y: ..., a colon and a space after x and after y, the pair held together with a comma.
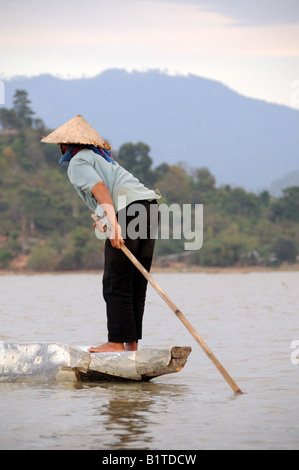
x: 76, y: 131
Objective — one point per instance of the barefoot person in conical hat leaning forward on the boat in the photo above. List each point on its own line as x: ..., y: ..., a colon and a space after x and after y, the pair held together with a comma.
x: 114, y: 195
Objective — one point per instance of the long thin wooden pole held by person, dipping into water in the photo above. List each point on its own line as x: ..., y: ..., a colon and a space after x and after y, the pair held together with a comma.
x: 181, y: 316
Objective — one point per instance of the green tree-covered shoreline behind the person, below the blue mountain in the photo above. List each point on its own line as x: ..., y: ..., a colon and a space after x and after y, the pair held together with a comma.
x: 44, y: 226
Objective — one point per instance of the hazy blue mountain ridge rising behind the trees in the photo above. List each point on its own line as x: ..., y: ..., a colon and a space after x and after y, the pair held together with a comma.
x: 243, y: 141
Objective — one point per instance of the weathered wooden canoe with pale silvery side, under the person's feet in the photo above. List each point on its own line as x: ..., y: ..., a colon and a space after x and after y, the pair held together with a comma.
x: 55, y: 362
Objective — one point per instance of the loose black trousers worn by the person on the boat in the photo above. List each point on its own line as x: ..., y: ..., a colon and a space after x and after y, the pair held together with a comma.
x: 124, y: 287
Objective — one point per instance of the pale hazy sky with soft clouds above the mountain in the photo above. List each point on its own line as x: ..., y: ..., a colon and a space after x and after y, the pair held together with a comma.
x: 251, y: 46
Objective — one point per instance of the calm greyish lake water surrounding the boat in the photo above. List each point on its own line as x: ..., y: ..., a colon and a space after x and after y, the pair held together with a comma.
x: 250, y: 321
